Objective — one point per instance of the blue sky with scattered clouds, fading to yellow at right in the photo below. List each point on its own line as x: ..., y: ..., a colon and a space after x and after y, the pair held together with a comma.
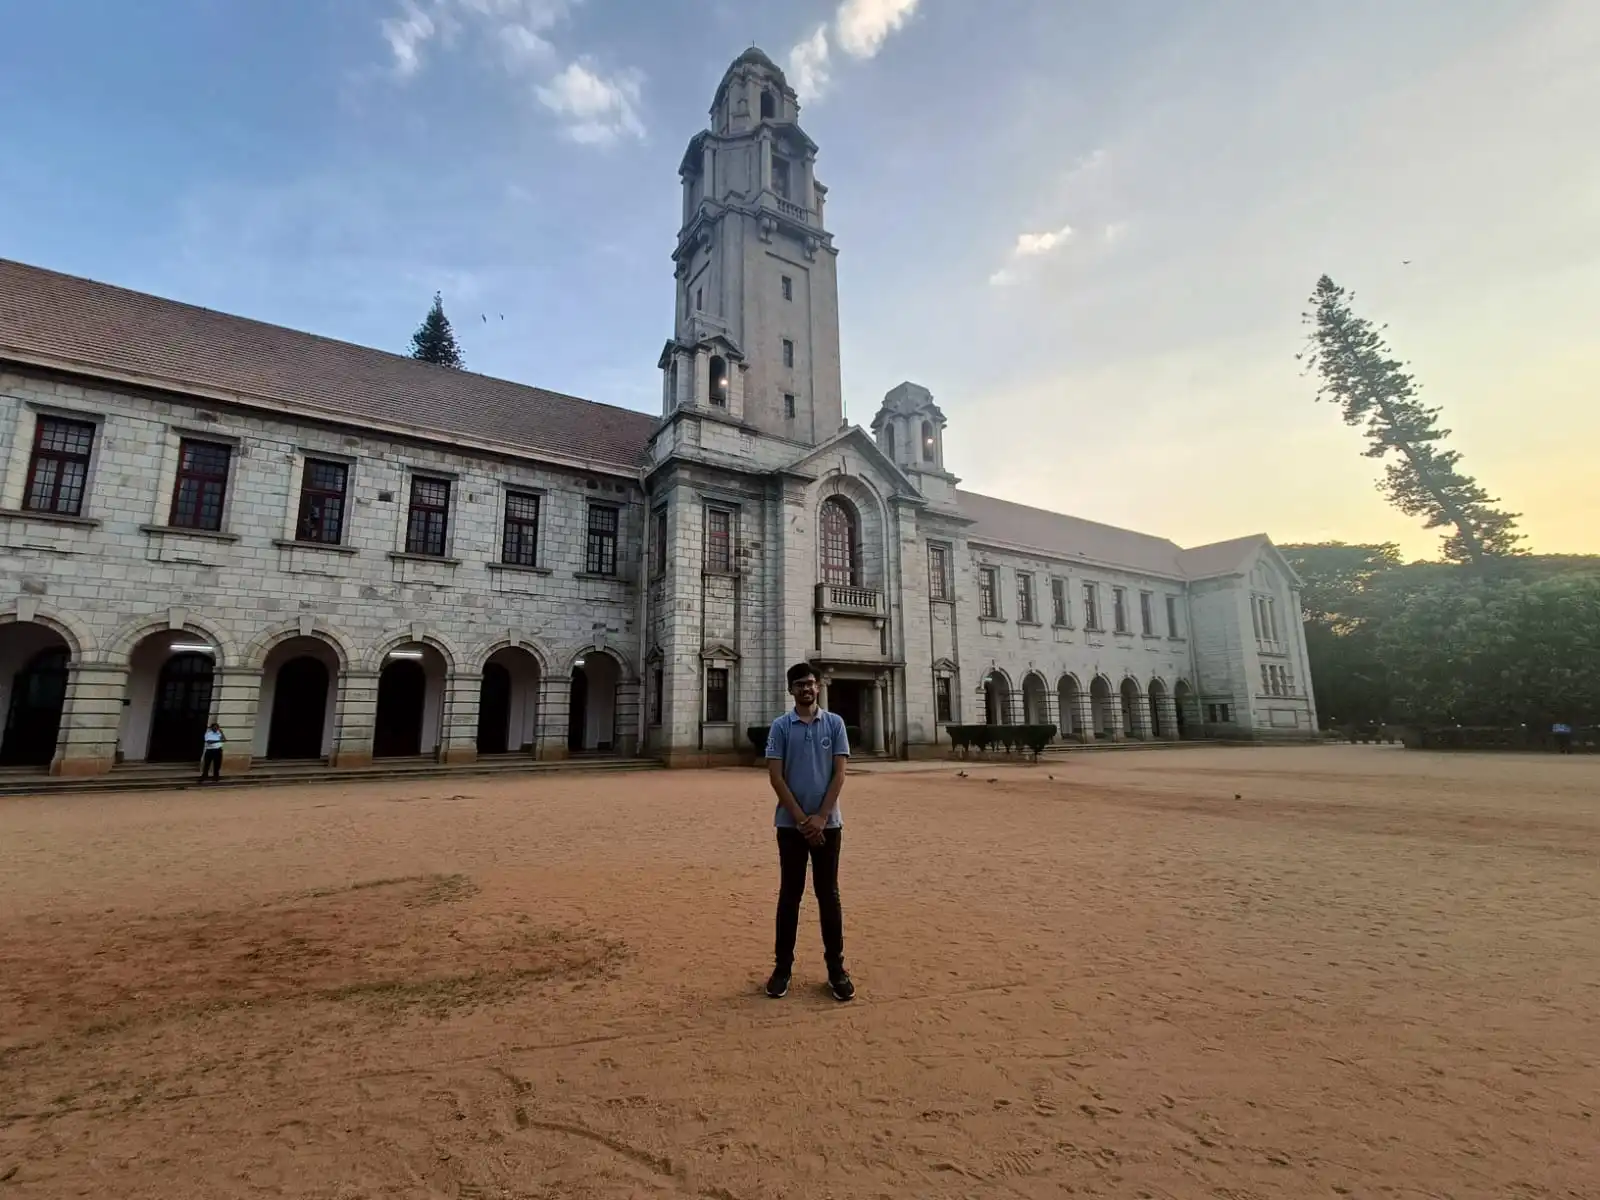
x: 1087, y: 226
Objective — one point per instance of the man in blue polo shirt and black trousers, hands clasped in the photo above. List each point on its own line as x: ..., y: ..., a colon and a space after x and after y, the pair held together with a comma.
x: 807, y: 751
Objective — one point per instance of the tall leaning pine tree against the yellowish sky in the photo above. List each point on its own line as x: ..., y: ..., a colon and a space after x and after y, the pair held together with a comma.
x: 1362, y: 377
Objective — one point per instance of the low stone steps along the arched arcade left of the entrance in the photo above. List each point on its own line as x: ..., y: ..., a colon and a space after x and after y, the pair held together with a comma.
x: 180, y: 777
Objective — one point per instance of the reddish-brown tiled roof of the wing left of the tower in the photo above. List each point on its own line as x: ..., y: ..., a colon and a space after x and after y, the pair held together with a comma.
x: 54, y: 319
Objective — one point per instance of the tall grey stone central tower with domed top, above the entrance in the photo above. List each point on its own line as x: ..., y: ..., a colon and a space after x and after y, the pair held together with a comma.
x: 756, y: 334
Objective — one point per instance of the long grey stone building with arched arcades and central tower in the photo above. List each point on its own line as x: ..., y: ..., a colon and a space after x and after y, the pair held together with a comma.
x: 345, y: 554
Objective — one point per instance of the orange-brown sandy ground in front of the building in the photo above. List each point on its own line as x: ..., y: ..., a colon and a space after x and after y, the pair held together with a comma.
x: 1209, y: 974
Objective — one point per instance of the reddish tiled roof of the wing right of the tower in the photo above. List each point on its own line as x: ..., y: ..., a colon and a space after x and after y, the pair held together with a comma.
x: 1073, y: 538
